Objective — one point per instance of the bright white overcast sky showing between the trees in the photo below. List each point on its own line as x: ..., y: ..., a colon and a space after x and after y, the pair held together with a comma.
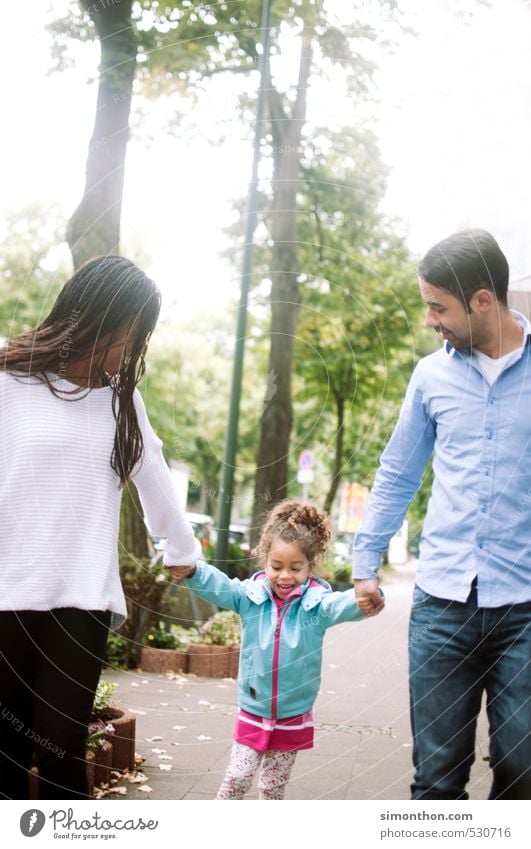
x: 454, y: 121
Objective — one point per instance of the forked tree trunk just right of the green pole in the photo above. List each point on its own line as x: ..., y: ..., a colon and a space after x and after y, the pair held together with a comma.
x: 271, y: 481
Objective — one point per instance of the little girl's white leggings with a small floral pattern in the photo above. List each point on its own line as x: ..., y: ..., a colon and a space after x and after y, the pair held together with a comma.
x: 275, y: 769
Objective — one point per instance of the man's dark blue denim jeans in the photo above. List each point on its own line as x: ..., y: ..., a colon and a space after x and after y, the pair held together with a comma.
x: 456, y: 651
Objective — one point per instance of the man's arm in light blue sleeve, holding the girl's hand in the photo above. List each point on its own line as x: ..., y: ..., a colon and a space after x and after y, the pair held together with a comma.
x: 399, y: 477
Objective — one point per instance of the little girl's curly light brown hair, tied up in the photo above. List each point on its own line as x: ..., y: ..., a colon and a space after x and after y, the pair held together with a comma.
x: 300, y: 522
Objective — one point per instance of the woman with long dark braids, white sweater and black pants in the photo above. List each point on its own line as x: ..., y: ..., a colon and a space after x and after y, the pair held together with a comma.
x: 73, y: 432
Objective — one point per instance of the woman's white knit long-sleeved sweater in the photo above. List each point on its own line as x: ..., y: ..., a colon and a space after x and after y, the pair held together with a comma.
x: 60, y: 499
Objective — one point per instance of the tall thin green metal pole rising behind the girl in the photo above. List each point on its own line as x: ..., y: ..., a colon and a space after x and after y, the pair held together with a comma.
x: 229, y: 460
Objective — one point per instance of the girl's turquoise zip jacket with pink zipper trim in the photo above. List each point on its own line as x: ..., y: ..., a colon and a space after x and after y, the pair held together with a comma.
x: 281, y: 650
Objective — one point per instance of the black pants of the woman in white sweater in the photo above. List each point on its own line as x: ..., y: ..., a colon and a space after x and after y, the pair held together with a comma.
x: 50, y: 664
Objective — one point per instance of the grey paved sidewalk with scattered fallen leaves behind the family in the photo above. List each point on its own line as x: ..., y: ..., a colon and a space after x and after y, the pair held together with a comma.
x: 362, y: 735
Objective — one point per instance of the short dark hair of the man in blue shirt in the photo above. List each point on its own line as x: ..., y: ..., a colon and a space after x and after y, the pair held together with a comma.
x: 465, y: 262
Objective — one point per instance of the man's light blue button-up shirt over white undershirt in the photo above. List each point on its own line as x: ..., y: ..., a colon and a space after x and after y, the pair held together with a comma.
x: 478, y: 520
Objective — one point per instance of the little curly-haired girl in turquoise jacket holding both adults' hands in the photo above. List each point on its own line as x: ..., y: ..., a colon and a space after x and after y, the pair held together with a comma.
x: 285, y: 610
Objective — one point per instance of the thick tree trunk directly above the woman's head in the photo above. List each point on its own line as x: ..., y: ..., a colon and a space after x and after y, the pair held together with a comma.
x: 94, y: 228
